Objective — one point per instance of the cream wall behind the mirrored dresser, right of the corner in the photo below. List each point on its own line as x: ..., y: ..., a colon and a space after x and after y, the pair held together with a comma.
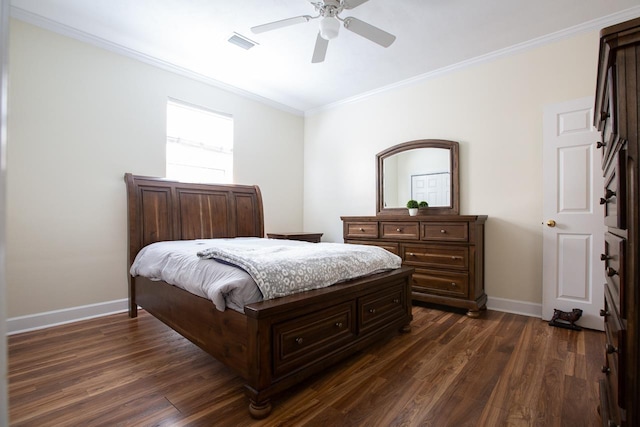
x: 494, y: 110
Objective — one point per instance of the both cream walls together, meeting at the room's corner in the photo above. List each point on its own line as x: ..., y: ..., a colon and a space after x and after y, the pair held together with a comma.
x: 79, y: 117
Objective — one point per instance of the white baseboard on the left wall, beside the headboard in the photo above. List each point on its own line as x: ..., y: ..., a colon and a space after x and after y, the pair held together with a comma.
x: 33, y: 322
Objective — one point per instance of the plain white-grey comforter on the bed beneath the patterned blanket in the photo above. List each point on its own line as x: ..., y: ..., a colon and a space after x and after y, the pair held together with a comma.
x: 177, y: 263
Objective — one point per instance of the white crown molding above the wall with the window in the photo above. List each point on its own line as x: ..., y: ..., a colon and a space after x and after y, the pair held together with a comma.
x: 65, y: 30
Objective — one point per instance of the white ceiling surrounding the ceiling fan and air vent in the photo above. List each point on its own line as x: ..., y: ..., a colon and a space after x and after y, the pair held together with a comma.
x: 432, y: 35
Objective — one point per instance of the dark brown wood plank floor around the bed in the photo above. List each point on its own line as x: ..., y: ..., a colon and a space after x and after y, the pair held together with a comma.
x: 499, y: 370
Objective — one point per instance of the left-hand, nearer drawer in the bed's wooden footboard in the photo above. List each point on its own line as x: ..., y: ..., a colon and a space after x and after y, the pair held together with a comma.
x: 303, y: 340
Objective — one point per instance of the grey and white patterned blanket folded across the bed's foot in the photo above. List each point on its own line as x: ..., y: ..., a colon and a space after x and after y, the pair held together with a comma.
x: 285, y: 270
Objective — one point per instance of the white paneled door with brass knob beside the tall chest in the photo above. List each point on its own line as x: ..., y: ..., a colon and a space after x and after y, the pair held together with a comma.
x: 573, y: 222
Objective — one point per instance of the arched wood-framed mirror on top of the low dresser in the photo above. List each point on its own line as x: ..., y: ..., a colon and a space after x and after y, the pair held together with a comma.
x: 426, y: 170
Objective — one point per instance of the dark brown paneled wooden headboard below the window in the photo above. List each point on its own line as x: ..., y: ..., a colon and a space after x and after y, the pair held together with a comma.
x: 159, y: 210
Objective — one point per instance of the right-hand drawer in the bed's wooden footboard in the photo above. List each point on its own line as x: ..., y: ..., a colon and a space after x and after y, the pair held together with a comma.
x: 378, y: 308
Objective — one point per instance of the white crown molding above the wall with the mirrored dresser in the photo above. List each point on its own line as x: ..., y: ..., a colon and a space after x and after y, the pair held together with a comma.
x: 593, y: 25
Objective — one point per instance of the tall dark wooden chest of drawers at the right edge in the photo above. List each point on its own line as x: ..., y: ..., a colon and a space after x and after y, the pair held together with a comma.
x: 617, y: 112
